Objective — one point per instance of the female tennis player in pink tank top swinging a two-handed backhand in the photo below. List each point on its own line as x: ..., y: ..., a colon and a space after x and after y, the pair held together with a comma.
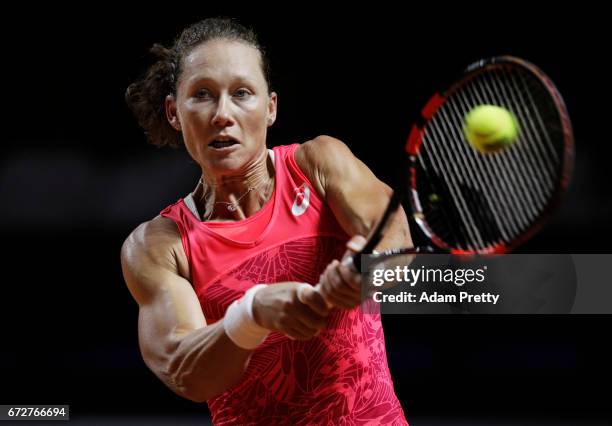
x: 224, y: 277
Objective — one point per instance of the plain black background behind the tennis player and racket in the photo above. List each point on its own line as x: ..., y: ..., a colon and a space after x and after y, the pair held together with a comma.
x: 76, y: 176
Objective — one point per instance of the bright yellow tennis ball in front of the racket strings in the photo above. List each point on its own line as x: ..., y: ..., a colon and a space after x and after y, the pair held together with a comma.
x: 490, y: 128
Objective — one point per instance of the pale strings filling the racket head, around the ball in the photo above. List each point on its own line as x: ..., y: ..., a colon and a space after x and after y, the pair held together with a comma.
x: 471, y: 200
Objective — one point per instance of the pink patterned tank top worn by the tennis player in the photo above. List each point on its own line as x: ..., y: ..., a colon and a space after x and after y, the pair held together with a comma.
x: 338, y: 377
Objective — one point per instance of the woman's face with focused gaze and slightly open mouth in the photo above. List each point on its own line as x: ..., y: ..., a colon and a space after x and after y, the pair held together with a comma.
x: 222, y: 106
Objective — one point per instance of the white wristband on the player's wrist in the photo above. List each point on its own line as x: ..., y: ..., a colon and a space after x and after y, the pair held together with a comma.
x: 239, y: 324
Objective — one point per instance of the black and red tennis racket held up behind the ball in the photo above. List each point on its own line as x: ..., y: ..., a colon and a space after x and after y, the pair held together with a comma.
x: 469, y: 202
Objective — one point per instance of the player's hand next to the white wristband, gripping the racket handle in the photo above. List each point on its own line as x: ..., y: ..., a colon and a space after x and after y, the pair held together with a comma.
x: 294, y: 309
